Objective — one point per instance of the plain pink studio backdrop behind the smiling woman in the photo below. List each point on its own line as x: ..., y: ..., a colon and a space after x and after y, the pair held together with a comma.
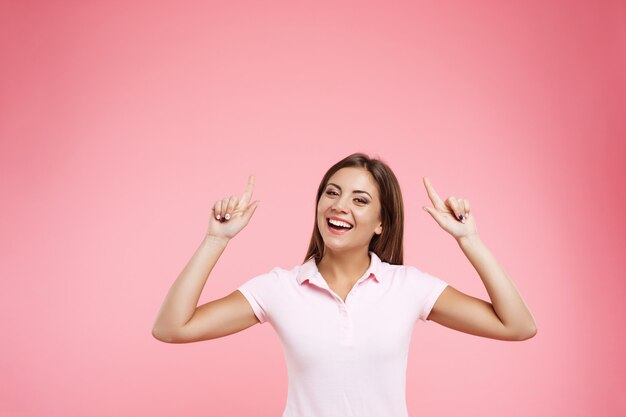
x: 122, y: 123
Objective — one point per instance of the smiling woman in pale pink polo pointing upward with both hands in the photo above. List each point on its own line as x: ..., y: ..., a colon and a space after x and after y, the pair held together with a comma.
x: 345, y: 316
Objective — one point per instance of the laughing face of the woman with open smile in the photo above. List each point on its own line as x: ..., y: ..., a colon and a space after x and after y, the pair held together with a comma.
x: 350, y: 195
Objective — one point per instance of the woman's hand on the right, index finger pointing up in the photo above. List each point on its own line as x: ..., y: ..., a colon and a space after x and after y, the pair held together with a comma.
x: 453, y: 215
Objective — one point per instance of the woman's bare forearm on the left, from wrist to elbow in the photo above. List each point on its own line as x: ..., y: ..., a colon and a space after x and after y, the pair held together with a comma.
x: 182, y: 298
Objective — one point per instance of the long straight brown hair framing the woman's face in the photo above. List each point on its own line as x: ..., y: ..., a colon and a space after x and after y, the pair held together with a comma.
x: 388, y: 245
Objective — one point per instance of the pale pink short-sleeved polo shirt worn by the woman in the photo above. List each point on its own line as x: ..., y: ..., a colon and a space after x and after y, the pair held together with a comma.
x: 344, y: 359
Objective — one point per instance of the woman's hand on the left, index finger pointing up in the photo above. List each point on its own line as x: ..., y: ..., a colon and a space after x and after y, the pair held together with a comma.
x: 231, y: 214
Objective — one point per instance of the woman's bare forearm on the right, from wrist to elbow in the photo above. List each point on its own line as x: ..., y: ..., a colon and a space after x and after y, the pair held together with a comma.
x: 505, y: 298
